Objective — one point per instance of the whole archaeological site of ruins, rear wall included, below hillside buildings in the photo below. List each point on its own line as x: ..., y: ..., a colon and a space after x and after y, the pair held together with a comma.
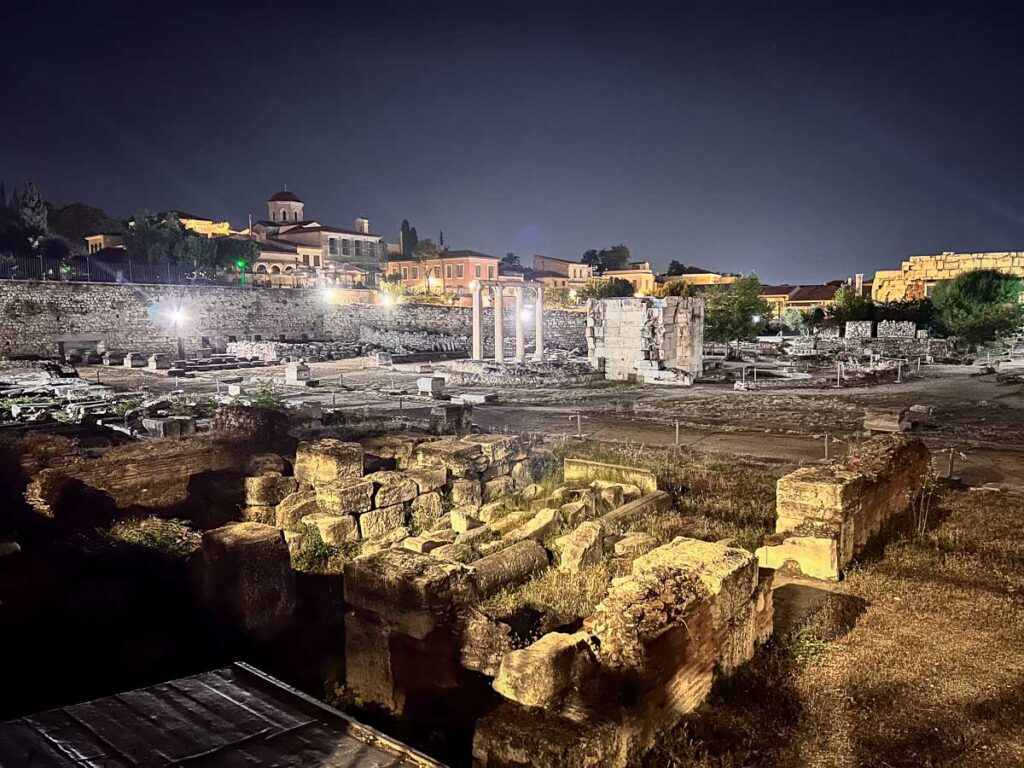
x: 290, y: 527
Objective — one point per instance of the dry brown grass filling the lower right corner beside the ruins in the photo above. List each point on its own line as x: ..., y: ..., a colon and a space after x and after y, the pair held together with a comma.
x: 932, y: 674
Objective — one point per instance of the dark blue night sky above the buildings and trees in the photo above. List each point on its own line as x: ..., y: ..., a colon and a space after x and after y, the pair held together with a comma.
x: 804, y: 143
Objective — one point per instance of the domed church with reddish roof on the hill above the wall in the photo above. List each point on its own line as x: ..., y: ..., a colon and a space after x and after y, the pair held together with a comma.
x: 292, y: 245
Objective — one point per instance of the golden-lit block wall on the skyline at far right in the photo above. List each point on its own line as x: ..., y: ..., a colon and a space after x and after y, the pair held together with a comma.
x: 912, y: 280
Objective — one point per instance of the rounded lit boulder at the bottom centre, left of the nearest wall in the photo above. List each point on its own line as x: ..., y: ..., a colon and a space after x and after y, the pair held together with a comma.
x: 541, y: 674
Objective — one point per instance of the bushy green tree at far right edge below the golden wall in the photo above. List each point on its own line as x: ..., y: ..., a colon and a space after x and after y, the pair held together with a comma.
x: 980, y: 306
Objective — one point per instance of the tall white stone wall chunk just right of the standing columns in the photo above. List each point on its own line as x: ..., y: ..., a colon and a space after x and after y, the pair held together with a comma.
x: 646, y: 339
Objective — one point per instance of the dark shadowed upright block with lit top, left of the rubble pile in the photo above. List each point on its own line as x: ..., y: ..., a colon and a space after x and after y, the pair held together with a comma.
x: 247, y: 577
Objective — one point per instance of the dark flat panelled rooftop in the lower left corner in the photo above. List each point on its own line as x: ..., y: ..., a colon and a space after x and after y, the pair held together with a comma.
x: 230, y: 717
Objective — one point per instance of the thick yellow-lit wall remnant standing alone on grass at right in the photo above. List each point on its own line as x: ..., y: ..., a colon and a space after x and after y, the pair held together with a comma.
x: 827, y: 515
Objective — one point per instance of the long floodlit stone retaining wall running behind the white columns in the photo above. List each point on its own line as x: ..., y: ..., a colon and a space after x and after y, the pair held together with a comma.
x: 36, y: 316
